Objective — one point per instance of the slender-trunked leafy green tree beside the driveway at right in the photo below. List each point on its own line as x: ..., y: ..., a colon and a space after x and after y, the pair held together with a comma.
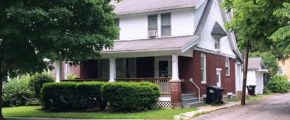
x: 254, y: 22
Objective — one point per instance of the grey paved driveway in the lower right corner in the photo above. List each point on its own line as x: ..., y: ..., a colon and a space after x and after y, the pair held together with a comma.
x: 274, y: 107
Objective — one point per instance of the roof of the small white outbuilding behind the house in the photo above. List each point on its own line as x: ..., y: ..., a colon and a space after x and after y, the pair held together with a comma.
x: 255, y: 63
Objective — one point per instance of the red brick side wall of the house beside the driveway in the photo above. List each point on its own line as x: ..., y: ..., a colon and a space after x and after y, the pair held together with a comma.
x: 190, y: 68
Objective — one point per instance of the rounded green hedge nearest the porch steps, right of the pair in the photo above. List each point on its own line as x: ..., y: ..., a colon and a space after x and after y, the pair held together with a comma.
x: 128, y: 97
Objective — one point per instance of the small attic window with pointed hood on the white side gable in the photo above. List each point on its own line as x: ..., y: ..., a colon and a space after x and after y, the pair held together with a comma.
x: 217, y: 33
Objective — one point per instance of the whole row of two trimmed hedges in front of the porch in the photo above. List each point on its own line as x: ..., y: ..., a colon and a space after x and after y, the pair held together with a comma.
x: 121, y: 96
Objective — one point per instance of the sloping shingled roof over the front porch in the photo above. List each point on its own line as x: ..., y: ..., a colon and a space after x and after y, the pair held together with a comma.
x: 178, y: 44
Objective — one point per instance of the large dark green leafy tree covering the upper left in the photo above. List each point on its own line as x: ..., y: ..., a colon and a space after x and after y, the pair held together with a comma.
x: 69, y: 30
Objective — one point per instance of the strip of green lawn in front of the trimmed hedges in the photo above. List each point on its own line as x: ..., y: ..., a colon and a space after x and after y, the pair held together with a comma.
x: 35, y: 111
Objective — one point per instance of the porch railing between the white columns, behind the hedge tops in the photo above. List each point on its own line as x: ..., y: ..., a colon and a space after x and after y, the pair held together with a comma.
x: 163, y: 82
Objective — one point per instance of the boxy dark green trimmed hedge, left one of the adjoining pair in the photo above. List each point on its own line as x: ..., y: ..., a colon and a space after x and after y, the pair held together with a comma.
x: 71, y: 96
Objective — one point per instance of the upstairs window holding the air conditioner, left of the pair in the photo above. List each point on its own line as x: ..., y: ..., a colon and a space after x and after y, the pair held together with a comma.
x: 152, y: 25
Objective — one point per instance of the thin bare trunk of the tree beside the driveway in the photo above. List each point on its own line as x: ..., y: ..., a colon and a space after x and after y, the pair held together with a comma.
x: 243, y: 100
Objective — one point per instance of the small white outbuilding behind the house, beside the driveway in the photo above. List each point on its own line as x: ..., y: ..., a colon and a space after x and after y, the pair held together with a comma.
x: 255, y: 76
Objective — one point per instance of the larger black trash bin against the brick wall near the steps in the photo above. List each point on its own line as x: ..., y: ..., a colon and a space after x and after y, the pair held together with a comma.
x: 214, y: 95
